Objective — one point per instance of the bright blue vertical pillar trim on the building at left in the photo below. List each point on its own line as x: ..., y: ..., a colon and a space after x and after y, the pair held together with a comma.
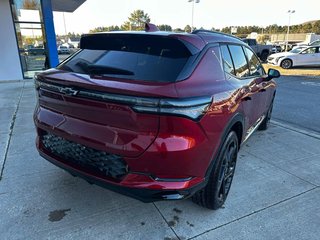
x: 50, y: 34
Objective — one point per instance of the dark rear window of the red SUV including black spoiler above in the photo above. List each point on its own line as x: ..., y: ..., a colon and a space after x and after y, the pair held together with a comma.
x: 145, y: 57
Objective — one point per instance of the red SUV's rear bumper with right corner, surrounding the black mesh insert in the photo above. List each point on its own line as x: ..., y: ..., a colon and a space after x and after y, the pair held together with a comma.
x: 172, y: 167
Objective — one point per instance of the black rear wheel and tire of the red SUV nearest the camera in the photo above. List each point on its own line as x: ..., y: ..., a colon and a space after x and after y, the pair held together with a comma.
x: 215, y: 193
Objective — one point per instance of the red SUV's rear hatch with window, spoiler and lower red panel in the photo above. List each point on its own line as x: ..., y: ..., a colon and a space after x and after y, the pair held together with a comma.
x: 98, y: 96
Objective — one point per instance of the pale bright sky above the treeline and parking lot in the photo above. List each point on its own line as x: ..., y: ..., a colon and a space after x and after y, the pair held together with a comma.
x: 178, y: 13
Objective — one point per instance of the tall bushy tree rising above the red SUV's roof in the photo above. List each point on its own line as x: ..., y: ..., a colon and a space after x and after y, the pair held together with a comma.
x: 136, y: 21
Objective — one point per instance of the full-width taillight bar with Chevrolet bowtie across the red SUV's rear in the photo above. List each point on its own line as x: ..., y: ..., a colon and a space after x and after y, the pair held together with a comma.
x: 193, y: 108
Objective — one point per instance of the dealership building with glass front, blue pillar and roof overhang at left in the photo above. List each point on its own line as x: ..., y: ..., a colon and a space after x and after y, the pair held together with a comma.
x: 27, y: 36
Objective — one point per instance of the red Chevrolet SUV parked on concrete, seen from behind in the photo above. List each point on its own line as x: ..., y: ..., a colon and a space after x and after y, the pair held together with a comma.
x: 154, y: 115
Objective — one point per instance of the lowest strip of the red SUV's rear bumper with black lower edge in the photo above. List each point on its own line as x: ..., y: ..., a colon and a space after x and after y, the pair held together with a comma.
x: 135, y: 185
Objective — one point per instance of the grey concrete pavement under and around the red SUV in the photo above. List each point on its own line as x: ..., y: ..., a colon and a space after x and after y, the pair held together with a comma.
x: 275, y: 193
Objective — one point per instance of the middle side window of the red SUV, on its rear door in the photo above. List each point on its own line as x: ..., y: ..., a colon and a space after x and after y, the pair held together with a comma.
x: 240, y: 61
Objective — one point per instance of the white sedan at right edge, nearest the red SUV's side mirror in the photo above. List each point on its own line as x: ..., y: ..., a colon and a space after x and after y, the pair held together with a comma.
x: 303, y: 56
